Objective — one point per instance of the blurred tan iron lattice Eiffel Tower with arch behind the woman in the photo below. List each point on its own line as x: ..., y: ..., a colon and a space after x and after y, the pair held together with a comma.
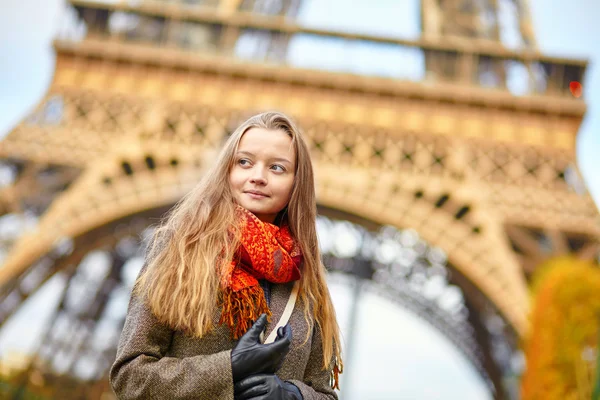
x: 468, y: 172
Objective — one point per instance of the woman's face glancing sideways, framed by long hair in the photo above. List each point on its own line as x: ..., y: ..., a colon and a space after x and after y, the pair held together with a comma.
x: 262, y: 175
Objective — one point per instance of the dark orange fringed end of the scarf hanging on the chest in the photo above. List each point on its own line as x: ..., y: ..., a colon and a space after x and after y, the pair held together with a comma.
x: 240, y: 309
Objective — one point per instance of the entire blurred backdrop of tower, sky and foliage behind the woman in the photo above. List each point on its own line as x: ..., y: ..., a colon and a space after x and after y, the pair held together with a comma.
x: 456, y: 149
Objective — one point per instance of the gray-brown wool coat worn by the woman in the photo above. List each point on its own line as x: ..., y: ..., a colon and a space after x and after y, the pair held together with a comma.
x: 155, y: 362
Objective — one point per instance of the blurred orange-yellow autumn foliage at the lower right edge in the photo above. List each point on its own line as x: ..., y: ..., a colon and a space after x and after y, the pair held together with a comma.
x: 565, y: 322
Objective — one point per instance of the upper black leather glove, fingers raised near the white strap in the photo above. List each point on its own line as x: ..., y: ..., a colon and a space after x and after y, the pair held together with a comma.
x: 250, y: 356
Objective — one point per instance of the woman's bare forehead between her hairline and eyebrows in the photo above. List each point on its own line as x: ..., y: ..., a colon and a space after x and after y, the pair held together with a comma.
x: 268, y: 142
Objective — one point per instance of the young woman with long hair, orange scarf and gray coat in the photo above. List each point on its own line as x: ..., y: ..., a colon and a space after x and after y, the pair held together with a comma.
x: 221, y: 269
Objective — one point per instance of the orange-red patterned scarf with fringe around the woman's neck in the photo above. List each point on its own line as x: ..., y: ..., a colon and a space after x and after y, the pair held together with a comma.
x: 266, y: 251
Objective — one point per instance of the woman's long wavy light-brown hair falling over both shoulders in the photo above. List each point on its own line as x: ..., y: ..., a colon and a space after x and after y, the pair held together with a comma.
x: 185, y: 256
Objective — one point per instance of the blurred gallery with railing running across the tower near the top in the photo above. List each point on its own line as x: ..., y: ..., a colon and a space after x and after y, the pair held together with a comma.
x: 205, y: 28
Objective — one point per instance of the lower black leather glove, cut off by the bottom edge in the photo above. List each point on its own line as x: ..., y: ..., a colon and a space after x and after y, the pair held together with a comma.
x: 266, y: 387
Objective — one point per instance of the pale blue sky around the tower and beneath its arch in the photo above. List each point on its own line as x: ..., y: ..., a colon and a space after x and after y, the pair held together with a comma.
x: 429, y: 364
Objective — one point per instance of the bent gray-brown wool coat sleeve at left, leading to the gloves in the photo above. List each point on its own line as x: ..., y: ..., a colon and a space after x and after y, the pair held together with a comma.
x: 142, y: 371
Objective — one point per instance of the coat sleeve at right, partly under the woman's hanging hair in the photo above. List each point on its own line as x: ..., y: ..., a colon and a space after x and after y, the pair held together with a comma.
x: 316, y: 383
